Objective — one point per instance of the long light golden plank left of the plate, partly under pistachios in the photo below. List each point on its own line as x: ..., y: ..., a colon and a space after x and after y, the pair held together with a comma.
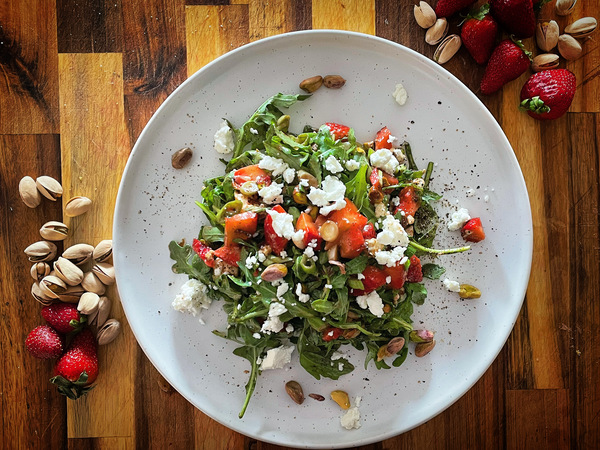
x: 95, y: 147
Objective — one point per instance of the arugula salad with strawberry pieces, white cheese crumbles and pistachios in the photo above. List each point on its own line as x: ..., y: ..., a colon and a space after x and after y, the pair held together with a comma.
x: 315, y: 242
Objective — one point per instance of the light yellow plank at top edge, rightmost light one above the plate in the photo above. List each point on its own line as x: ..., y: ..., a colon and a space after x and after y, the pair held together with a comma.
x: 351, y: 15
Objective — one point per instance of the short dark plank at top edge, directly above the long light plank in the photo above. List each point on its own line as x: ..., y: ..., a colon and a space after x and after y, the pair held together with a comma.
x: 89, y: 26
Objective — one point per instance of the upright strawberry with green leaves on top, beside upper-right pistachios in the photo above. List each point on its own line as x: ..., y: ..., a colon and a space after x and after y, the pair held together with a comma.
x: 478, y: 34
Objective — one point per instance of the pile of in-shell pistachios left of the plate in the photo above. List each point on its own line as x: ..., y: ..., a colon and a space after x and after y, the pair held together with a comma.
x: 81, y: 274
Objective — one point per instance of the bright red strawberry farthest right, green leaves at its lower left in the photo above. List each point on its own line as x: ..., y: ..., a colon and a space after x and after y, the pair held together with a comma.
x: 548, y: 94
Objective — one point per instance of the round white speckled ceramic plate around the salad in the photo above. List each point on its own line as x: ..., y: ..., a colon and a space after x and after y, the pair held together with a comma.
x: 443, y: 121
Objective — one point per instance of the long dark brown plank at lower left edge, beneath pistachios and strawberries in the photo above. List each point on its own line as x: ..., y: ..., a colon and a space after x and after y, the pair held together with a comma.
x: 33, y: 412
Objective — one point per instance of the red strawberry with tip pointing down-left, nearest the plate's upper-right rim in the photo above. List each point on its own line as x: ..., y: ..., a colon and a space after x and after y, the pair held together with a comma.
x: 508, y: 62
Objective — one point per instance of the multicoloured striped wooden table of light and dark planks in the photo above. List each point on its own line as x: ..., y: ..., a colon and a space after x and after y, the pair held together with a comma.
x: 80, y: 79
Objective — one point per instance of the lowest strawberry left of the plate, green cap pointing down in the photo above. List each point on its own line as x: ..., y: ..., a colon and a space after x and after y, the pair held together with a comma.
x: 77, y: 369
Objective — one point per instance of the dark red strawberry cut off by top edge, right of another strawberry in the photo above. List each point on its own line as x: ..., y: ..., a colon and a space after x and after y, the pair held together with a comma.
x: 515, y: 16
